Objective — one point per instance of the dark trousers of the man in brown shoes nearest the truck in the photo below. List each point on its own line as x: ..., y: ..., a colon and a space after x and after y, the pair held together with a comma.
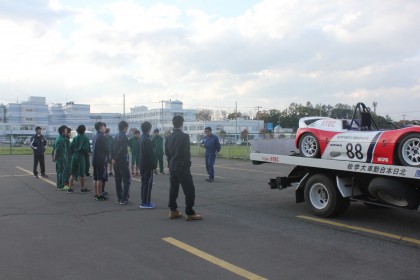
x: 184, y: 178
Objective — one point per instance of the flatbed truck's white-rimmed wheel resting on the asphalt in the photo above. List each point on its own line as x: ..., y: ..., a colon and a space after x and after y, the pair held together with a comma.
x: 323, y: 197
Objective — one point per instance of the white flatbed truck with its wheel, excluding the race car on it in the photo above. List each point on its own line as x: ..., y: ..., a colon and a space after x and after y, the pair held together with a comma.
x: 328, y: 186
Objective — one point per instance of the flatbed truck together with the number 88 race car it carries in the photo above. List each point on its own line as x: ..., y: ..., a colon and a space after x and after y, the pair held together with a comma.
x: 329, y: 178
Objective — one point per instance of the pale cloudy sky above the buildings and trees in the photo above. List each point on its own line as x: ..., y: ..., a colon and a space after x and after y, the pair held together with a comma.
x: 212, y: 53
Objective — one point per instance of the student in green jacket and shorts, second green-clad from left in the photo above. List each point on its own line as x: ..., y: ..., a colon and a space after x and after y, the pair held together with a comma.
x: 79, y: 148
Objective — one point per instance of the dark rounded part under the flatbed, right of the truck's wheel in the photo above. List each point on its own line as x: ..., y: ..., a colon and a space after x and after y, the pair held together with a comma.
x: 395, y: 193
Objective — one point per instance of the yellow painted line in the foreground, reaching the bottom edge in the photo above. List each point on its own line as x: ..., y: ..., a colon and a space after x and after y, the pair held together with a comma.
x: 232, y: 268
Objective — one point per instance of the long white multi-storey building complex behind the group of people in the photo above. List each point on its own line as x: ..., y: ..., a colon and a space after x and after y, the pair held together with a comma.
x: 21, y: 119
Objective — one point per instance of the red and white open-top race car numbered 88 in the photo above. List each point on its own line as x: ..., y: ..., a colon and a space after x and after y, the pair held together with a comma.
x: 358, y: 139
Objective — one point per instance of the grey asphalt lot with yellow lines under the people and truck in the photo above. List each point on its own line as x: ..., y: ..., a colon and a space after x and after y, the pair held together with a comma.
x: 248, y: 231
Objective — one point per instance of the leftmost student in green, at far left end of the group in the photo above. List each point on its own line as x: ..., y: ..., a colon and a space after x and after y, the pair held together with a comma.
x: 59, y: 155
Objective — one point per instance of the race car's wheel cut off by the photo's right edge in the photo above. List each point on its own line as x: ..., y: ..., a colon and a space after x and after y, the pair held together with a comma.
x: 409, y: 150
